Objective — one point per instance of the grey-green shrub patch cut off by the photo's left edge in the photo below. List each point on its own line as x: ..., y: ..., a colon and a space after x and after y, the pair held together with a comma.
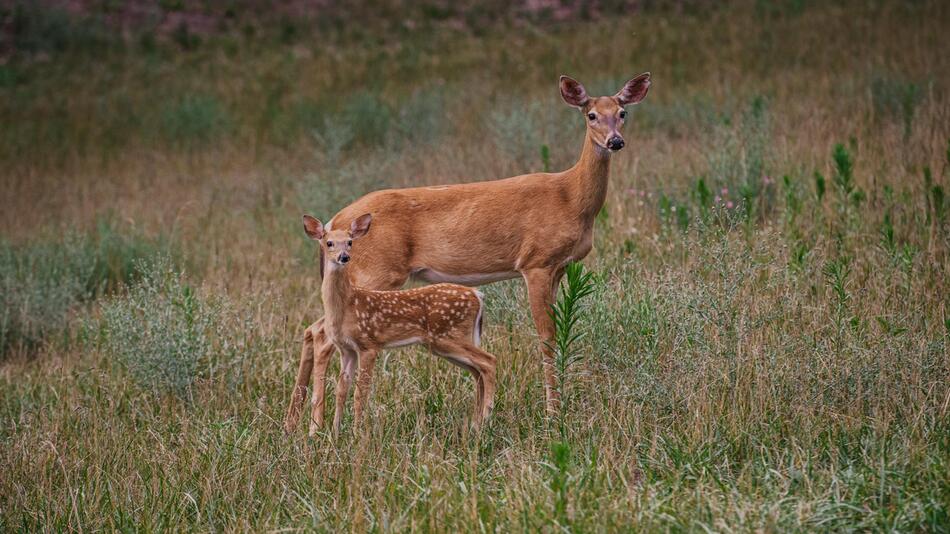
x: 42, y: 282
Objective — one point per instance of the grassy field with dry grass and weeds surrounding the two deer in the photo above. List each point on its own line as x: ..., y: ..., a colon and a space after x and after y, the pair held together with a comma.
x: 767, y: 347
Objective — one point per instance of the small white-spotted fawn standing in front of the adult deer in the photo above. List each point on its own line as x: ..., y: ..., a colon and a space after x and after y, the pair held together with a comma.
x: 446, y: 318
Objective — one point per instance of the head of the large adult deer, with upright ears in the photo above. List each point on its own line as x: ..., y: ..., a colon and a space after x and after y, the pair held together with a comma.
x: 605, y: 115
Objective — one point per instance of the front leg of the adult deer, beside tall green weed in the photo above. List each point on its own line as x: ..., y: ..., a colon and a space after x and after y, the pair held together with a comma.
x: 541, y: 287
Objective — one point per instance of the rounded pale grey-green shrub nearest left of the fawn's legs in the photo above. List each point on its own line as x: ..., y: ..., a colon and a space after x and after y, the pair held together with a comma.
x: 167, y: 333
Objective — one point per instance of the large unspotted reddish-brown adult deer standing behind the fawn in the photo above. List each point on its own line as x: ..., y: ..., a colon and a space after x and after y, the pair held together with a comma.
x: 529, y: 226
